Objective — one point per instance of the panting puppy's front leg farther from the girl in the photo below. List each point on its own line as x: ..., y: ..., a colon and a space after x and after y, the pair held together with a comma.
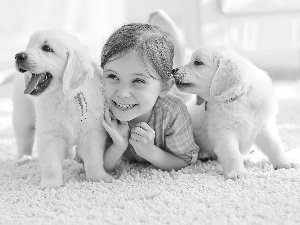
x: 51, y: 152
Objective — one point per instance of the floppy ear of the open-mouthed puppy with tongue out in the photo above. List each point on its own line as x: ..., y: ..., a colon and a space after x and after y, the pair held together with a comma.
x: 78, y: 69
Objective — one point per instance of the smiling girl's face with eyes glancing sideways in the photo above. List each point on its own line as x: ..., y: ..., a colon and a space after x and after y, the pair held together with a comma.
x: 130, y: 90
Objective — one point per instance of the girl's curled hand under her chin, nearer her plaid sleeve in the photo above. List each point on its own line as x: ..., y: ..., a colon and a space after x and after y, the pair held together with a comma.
x: 142, y: 139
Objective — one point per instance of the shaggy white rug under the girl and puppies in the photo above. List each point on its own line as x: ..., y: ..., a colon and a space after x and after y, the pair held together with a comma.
x: 141, y: 194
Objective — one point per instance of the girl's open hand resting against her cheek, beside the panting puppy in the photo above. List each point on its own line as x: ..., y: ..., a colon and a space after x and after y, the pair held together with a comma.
x: 117, y: 130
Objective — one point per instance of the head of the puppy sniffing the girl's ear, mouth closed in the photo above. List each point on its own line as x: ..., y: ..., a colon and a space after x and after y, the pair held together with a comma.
x: 213, y: 73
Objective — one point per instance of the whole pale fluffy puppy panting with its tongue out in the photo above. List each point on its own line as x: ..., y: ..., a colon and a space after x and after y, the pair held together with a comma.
x: 62, y: 104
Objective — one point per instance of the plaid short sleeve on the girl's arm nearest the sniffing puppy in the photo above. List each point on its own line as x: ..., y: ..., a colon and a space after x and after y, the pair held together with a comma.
x: 179, y: 136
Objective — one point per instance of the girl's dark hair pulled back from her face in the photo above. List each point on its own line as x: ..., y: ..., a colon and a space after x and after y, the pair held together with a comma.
x: 150, y: 42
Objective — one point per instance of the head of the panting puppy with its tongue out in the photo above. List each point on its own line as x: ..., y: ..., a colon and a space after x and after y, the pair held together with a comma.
x: 53, y: 60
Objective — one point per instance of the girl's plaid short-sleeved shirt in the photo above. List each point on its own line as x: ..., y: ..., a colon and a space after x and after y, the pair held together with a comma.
x: 171, y: 122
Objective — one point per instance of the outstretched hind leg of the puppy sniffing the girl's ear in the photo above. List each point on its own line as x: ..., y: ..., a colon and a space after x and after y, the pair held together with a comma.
x: 269, y: 142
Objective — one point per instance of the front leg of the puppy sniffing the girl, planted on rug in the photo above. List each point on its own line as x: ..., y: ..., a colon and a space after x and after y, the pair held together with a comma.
x: 226, y: 147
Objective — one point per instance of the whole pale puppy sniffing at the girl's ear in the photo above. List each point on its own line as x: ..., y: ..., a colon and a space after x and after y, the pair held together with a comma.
x: 239, y: 110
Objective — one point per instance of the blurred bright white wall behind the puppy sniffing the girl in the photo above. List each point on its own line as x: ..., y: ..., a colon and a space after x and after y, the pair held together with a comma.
x: 266, y: 32
